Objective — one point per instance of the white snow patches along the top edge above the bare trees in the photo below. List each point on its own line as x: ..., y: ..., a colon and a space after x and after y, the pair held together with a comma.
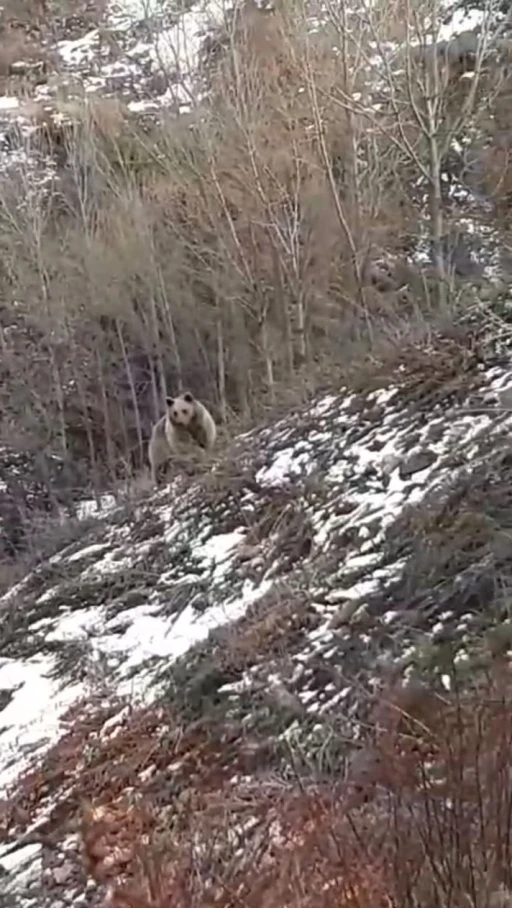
x: 143, y: 39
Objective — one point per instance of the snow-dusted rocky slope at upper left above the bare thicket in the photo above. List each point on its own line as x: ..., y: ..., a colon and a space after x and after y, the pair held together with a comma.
x: 141, y: 57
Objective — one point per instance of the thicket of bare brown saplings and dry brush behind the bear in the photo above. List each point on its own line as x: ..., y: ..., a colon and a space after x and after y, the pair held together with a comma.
x: 251, y: 253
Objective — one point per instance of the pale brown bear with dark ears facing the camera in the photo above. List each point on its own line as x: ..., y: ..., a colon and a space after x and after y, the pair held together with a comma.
x: 186, y: 420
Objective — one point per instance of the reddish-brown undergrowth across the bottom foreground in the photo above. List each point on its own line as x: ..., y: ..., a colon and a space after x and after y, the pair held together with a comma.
x: 172, y: 816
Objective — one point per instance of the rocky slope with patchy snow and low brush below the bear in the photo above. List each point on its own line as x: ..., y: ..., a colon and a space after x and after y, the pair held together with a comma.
x: 257, y: 607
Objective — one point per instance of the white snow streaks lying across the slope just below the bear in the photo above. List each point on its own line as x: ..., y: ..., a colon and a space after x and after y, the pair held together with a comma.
x: 350, y: 466
